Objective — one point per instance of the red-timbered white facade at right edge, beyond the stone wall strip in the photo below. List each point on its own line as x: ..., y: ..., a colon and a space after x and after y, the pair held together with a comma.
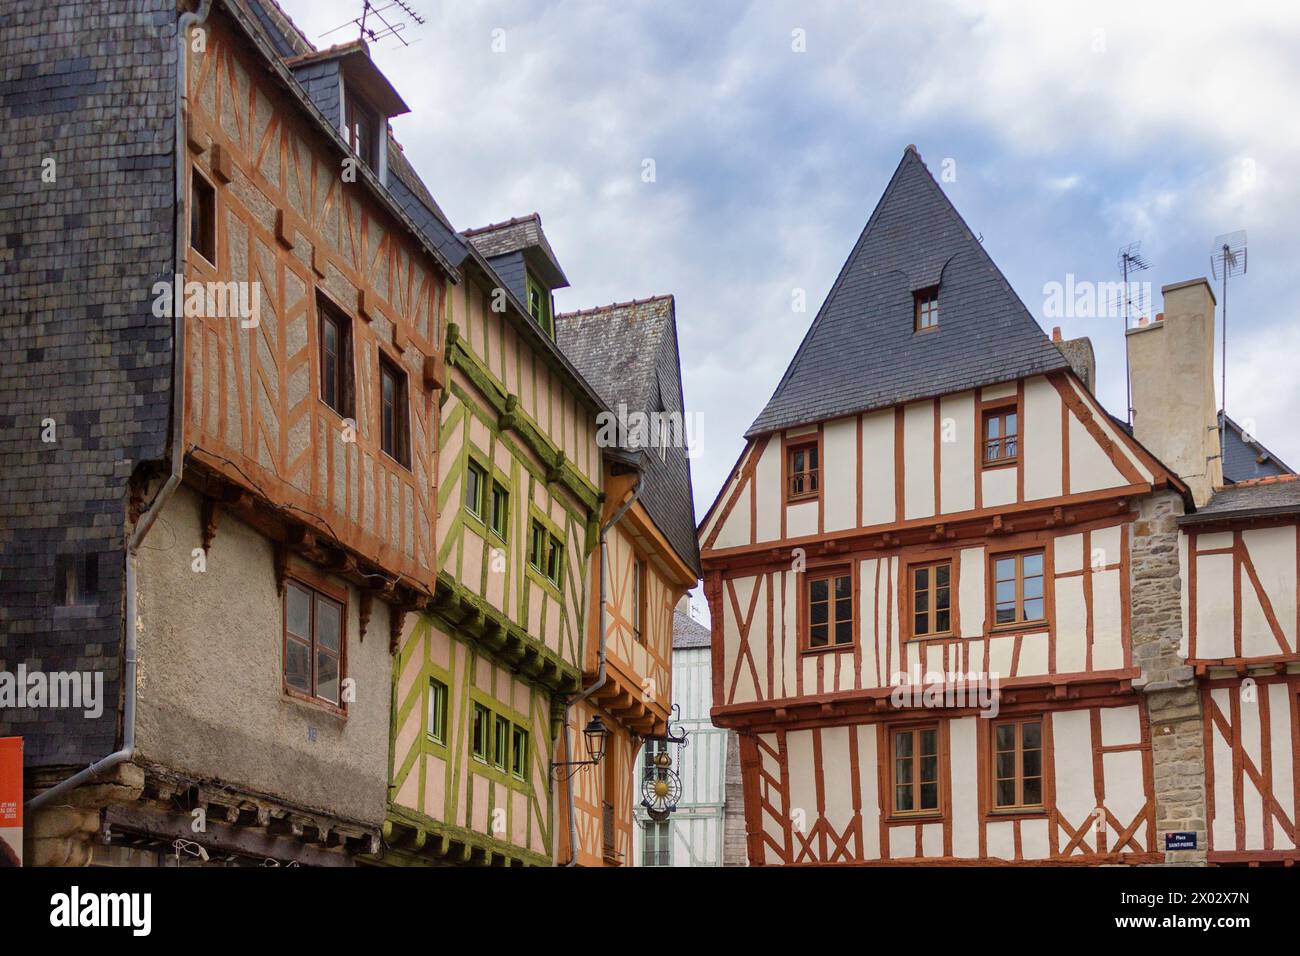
x: 1241, y: 563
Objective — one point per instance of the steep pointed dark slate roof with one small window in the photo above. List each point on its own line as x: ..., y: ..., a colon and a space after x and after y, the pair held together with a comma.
x: 863, y: 353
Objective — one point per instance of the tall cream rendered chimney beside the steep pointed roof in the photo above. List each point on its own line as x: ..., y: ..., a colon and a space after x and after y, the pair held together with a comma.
x: 1172, y: 377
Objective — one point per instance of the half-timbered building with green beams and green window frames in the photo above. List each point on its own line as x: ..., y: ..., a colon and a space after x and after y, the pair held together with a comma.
x: 483, y: 676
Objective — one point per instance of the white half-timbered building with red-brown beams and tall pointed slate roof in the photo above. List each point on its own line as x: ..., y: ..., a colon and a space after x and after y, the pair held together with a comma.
x: 921, y: 577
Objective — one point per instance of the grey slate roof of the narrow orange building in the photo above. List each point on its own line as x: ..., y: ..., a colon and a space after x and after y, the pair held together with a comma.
x: 629, y: 353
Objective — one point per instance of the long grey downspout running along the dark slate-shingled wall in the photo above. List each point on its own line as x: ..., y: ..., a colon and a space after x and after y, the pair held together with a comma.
x: 184, y: 25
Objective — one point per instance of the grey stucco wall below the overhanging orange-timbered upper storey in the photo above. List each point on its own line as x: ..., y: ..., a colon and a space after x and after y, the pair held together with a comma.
x: 211, y: 702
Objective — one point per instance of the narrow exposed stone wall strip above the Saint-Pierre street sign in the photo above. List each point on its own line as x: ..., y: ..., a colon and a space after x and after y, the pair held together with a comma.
x: 1169, y: 685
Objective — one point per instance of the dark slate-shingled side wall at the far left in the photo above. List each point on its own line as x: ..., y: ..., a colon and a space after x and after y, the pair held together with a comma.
x: 89, y: 86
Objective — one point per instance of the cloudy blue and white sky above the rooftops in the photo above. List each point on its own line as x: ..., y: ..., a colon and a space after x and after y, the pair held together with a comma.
x: 773, y: 128
